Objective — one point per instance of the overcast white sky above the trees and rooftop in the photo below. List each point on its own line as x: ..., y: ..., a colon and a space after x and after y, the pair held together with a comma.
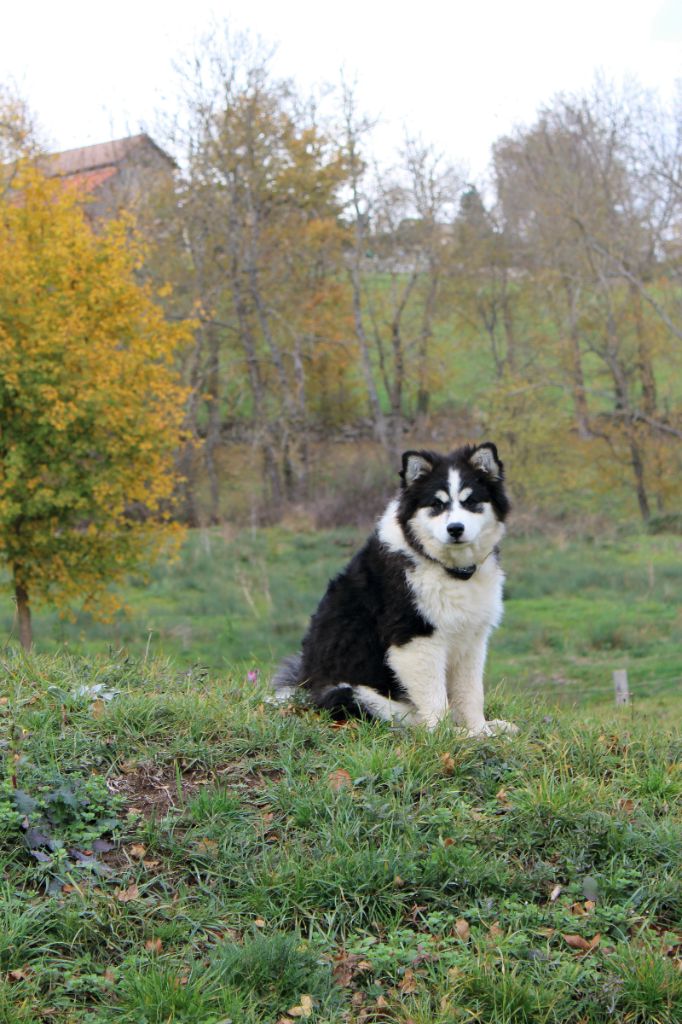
x: 458, y: 73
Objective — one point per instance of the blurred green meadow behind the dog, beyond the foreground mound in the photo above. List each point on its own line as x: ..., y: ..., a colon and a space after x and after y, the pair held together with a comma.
x: 576, y: 610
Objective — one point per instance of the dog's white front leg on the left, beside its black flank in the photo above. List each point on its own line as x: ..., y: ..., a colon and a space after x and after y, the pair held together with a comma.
x: 420, y: 667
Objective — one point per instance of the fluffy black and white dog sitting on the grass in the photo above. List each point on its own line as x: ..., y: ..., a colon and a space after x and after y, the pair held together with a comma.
x: 402, y: 633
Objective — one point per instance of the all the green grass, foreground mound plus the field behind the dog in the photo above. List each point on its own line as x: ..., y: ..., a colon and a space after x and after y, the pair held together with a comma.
x: 177, y: 850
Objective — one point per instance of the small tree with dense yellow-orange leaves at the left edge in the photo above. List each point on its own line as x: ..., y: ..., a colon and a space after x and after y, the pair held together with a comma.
x: 91, y: 404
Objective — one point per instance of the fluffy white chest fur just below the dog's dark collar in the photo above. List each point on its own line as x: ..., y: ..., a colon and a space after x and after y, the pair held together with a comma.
x: 457, y: 607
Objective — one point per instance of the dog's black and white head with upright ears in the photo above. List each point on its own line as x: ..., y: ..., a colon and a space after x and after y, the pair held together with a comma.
x: 453, y: 507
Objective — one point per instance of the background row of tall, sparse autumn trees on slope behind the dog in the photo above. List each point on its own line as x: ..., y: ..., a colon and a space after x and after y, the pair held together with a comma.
x: 338, y: 301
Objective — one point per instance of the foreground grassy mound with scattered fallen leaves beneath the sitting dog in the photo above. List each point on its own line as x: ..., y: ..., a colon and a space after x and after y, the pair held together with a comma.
x: 176, y: 849
